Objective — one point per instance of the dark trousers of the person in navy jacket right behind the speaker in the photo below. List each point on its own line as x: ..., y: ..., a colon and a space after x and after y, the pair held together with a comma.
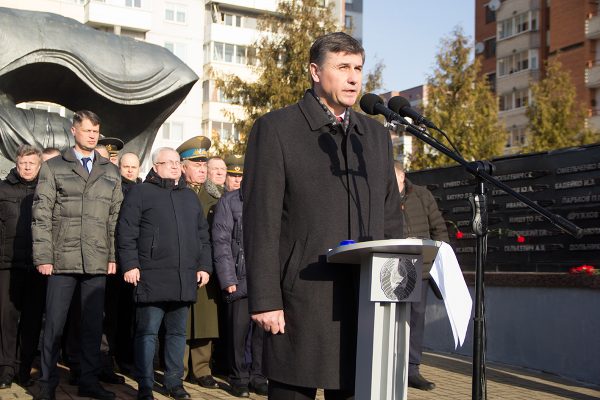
x: 245, y: 366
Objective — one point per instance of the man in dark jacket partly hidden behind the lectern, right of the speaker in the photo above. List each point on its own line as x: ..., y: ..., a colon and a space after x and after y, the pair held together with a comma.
x: 423, y: 220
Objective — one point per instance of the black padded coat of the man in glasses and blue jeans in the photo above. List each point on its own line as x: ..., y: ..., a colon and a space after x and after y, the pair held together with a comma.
x: 163, y: 232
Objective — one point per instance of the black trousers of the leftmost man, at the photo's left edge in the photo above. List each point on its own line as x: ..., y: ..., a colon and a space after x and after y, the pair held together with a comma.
x: 22, y: 295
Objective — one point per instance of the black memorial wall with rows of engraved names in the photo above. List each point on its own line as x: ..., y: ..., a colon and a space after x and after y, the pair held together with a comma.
x: 566, y: 181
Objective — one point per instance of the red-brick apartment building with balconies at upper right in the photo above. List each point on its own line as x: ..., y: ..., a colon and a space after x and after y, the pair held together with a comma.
x: 514, y: 39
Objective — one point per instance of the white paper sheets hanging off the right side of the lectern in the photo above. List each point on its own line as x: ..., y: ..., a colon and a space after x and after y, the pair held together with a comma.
x: 448, y: 276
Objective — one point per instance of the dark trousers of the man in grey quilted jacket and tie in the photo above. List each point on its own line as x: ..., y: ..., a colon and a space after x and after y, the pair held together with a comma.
x: 58, y: 298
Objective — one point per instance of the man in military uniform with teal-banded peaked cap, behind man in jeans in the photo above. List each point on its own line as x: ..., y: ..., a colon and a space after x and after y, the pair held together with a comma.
x: 203, y: 323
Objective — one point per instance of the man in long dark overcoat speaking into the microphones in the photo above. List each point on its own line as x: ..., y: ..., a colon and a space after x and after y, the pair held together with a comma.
x: 316, y: 173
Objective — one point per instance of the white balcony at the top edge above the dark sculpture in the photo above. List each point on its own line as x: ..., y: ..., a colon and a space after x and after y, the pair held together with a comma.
x: 116, y: 13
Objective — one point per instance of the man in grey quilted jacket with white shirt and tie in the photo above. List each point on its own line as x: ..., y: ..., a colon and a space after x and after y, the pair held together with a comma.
x: 75, y: 210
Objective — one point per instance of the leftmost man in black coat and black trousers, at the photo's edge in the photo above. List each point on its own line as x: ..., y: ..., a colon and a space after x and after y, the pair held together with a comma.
x: 22, y: 289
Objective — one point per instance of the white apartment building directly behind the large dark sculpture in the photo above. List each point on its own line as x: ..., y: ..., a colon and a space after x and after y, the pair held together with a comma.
x: 174, y: 25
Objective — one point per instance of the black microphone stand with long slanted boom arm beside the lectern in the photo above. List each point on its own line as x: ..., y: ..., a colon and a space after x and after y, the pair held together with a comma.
x: 482, y: 172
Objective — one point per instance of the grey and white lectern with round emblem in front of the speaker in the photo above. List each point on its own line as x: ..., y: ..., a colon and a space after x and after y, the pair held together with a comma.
x: 390, y: 278
